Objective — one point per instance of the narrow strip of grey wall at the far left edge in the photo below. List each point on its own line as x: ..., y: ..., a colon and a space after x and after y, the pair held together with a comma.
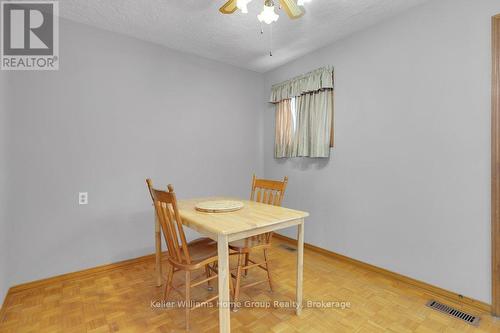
x: 4, y: 286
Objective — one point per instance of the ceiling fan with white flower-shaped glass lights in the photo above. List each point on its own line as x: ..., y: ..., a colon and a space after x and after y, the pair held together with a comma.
x: 291, y: 7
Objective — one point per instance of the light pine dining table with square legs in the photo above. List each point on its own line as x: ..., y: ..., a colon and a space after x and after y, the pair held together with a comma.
x: 253, y: 219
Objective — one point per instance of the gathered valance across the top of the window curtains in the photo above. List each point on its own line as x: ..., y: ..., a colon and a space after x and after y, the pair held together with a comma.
x: 318, y: 79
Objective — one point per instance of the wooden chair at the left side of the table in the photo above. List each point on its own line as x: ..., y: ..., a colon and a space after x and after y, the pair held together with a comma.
x: 183, y: 256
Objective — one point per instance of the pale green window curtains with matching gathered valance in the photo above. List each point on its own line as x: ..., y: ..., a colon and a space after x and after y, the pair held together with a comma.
x: 311, y: 135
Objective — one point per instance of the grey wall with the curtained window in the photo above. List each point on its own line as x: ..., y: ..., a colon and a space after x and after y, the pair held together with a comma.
x: 408, y: 185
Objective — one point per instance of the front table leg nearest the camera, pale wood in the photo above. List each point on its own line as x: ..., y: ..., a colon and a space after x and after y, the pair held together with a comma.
x: 223, y: 269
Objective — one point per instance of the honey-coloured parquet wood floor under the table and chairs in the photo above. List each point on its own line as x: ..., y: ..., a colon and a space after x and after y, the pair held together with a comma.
x: 120, y: 301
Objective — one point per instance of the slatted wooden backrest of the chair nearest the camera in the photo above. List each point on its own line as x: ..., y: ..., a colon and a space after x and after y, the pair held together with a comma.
x: 167, y: 213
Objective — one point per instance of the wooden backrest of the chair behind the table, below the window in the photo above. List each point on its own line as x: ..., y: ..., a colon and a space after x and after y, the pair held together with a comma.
x: 267, y: 191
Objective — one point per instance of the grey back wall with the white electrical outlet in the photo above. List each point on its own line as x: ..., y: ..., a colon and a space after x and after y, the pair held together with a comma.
x: 119, y: 110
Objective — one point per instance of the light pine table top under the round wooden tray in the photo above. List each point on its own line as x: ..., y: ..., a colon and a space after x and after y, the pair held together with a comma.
x: 252, y: 216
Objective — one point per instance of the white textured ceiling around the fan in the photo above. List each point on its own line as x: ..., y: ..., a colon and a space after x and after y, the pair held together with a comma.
x: 196, y: 26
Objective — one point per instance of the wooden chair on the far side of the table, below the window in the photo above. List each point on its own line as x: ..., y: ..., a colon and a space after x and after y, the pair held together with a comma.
x: 269, y: 192
